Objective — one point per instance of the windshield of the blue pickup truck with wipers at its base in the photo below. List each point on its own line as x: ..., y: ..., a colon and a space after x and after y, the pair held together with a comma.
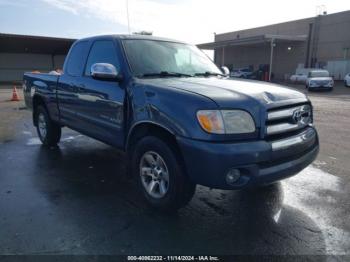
x: 150, y: 57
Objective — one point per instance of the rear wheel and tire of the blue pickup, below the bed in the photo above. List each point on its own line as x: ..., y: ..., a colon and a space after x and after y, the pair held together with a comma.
x: 48, y: 131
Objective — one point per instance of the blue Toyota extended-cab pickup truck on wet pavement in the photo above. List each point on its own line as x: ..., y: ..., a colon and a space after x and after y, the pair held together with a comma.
x: 179, y: 119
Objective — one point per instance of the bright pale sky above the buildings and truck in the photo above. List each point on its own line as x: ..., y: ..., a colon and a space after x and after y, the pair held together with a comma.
x: 193, y: 21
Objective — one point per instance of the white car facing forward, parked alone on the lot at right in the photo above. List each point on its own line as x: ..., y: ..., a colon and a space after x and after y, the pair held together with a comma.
x: 319, y: 80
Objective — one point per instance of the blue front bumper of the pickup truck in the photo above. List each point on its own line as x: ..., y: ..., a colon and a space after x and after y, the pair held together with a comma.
x: 259, y: 162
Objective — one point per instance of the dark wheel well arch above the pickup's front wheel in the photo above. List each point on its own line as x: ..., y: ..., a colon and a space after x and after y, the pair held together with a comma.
x: 150, y: 129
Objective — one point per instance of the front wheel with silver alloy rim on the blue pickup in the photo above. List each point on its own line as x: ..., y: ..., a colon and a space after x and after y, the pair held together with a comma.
x: 177, y: 189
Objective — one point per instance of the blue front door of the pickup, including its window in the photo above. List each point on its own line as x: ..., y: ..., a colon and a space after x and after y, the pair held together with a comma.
x: 101, y: 102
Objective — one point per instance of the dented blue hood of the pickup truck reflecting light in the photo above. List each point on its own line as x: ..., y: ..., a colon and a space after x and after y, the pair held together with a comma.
x: 228, y: 93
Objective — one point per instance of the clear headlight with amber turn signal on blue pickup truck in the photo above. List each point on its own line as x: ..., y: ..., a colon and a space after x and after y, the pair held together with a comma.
x: 226, y: 121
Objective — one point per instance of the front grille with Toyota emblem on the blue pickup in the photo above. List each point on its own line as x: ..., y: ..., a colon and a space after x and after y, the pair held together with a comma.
x: 284, y: 122
